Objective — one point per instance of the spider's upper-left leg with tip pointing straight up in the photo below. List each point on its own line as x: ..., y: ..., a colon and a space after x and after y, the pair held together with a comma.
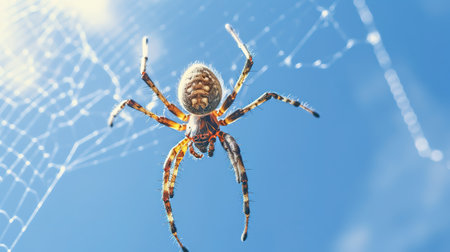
x: 172, y: 108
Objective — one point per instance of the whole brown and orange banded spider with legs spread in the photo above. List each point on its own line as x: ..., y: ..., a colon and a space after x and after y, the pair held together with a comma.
x: 199, y: 93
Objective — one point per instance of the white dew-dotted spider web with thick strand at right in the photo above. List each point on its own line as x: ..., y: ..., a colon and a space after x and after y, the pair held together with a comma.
x: 61, y: 74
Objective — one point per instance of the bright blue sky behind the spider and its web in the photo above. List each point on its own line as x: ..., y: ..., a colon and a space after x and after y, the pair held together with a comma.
x: 352, y: 180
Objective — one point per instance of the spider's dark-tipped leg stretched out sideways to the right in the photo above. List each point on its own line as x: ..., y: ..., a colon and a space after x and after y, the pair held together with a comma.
x: 263, y: 98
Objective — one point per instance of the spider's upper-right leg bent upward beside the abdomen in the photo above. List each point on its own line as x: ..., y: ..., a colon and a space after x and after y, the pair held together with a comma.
x: 248, y: 65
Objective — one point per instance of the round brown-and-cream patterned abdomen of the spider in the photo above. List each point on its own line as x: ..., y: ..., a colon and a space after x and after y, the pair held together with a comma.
x: 199, y: 90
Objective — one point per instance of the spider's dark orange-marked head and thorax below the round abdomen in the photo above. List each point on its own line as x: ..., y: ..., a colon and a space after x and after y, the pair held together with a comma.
x: 200, y: 129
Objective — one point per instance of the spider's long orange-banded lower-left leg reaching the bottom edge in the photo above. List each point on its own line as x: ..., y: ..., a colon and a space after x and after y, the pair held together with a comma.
x: 165, y: 194
